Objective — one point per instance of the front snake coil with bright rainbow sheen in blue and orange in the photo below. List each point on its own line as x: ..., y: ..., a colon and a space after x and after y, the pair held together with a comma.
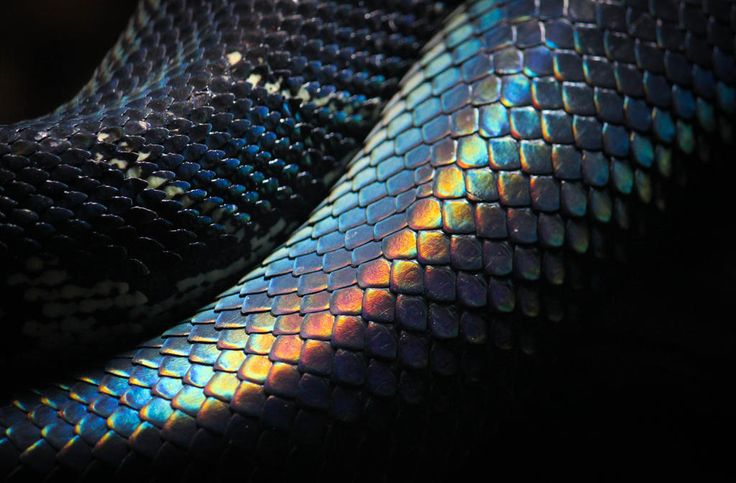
x: 526, y: 129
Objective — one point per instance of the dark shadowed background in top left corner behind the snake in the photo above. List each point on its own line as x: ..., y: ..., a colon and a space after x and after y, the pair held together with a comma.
x: 49, y: 49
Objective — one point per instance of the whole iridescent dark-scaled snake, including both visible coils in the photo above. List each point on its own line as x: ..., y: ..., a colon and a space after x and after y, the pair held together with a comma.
x: 523, y: 136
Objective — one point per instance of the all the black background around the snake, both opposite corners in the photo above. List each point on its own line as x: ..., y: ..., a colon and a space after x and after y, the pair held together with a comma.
x: 643, y: 379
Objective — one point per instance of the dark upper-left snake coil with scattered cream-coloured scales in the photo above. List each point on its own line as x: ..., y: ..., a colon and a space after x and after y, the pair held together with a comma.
x: 208, y: 133
